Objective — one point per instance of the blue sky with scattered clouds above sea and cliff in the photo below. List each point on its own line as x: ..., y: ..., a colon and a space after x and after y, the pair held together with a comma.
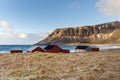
x: 29, y: 21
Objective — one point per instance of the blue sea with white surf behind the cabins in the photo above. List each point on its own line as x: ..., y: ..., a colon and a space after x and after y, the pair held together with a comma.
x: 7, y: 48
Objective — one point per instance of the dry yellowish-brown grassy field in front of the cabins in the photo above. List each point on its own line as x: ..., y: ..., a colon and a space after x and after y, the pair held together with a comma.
x: 103, y: 65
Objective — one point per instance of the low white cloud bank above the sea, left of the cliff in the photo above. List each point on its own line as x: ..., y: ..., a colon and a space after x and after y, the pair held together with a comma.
x: 7, y: 37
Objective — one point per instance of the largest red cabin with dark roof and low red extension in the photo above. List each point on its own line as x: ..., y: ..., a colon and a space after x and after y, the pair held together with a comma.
x: 55, y: 49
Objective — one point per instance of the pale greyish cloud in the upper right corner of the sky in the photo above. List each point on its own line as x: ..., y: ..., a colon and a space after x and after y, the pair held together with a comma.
x: 109, y: 7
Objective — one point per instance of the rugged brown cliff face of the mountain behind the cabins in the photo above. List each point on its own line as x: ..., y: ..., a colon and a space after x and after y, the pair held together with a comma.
x: 100, y: 33
